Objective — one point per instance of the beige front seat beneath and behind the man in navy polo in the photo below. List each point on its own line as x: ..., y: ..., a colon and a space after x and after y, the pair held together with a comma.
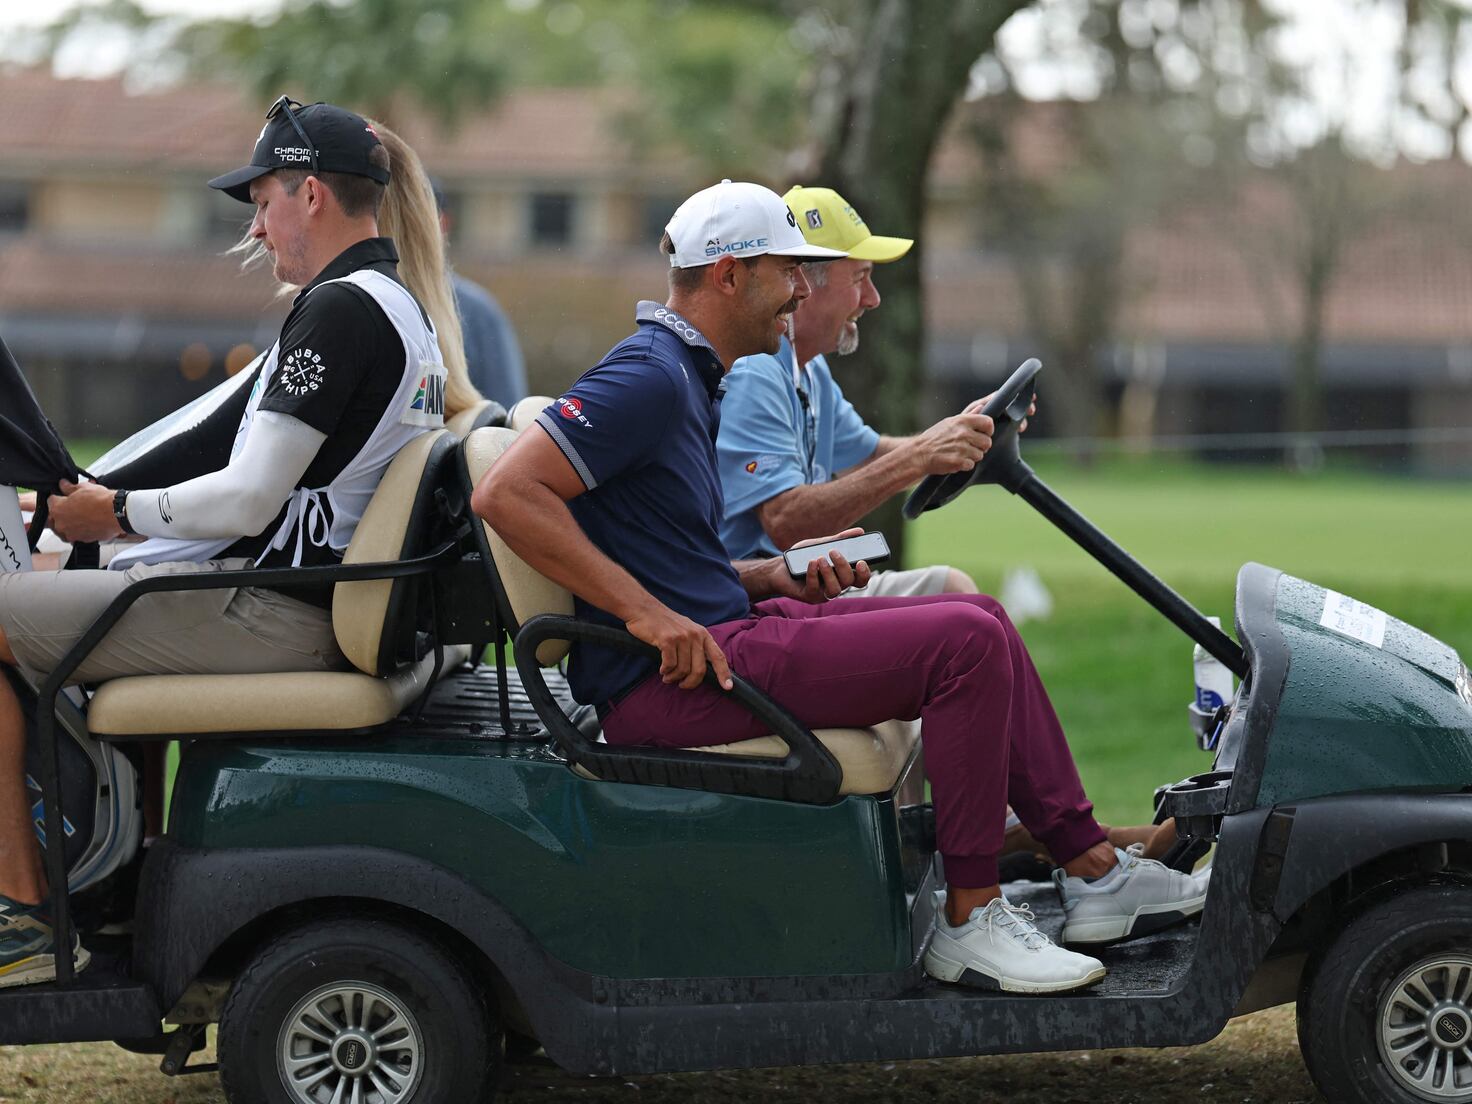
x: 872, y: 760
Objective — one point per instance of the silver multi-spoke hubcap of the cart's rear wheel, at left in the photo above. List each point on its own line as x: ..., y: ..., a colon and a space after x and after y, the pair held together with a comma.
x: 351, y: 1043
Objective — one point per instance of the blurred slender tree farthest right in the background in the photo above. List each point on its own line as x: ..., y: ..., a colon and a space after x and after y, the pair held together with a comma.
x: 1314, y: 173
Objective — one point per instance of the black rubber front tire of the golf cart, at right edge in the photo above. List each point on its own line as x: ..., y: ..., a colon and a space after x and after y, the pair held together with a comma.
x: 1346, y: 984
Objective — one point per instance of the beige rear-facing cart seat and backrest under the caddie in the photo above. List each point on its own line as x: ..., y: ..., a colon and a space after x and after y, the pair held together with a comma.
x: 375, y: 623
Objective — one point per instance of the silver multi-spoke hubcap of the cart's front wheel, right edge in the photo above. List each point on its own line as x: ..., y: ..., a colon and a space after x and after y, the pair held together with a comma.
x: 1426, y: 1030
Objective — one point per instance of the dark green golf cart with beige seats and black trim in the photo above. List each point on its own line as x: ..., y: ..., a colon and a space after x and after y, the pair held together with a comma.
x: 381, y: 884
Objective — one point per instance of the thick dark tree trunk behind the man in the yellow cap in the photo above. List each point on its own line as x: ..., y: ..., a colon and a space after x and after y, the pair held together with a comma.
x: 885, y: 116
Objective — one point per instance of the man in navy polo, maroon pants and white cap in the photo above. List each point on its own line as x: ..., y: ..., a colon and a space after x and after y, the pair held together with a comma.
x: 616, y: 497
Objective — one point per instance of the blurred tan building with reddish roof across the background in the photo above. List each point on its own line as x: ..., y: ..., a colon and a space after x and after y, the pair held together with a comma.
x: 114, y: 269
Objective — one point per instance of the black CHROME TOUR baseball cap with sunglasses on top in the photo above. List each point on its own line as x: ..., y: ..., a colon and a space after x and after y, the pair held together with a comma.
x: 319, y: 138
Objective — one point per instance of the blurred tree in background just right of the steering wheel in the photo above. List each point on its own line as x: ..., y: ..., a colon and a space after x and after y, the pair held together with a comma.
x: 1128, y: 99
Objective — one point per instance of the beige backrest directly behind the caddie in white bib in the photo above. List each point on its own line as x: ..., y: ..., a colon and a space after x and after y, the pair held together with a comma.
x: 375, y: 620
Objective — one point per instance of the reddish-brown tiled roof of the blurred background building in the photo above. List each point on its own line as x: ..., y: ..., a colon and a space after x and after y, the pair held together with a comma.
x: 1401, y: 283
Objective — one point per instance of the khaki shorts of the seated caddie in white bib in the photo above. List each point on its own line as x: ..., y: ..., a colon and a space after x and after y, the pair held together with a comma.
x: 232, y: 631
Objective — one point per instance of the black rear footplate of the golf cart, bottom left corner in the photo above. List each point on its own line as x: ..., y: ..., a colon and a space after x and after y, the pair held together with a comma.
x: 102, y: 1003
